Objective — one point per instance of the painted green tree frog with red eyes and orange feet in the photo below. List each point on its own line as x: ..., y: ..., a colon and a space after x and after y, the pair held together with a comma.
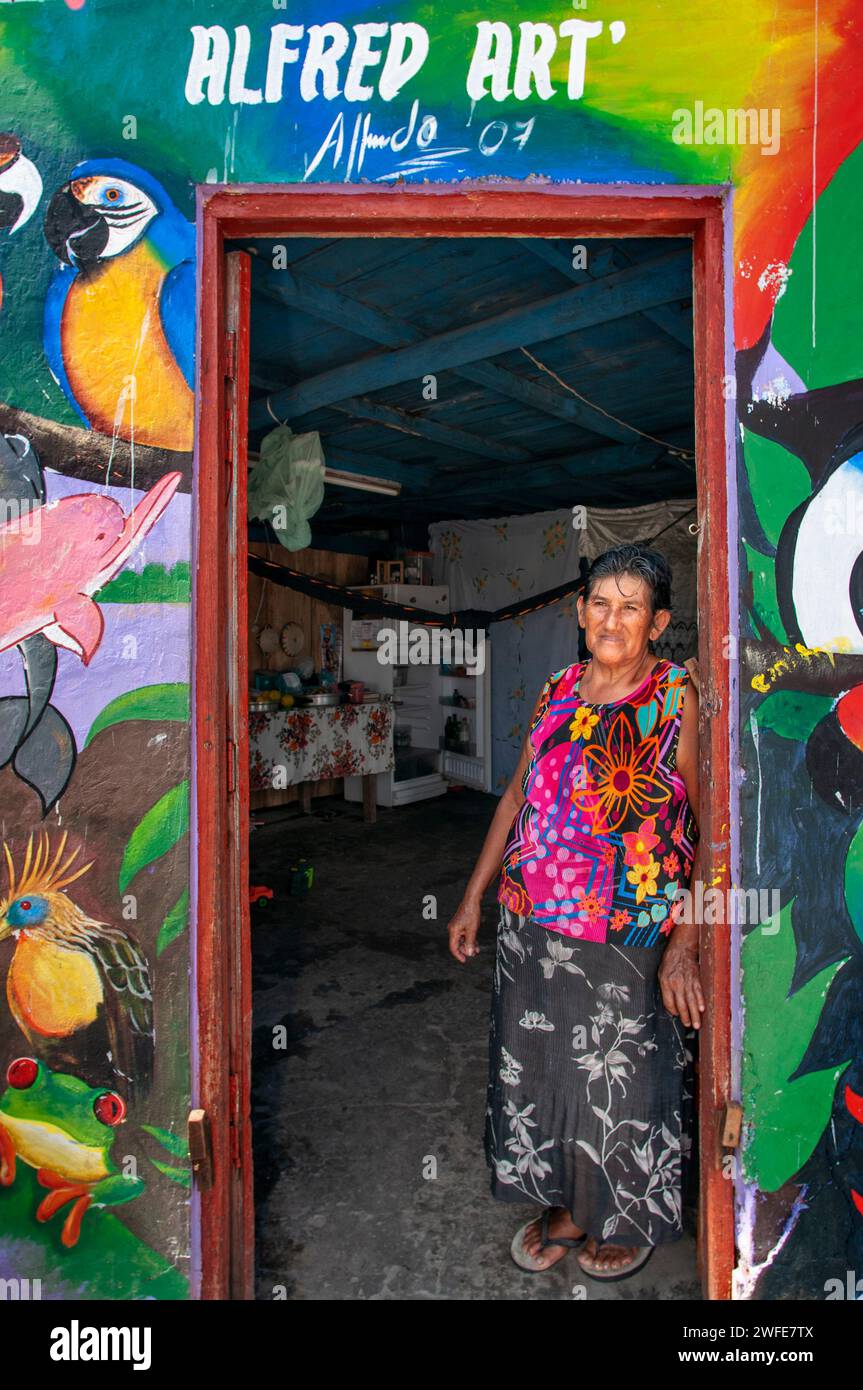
x: 63, y: 1128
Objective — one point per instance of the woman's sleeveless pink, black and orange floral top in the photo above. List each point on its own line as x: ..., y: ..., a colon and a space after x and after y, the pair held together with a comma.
x: 607, y: 836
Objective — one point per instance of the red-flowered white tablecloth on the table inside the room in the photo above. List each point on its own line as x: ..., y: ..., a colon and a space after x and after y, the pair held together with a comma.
x: 297, y: 746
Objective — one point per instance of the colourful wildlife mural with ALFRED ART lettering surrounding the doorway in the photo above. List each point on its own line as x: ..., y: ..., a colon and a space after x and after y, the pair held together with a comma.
x: 99, y: 163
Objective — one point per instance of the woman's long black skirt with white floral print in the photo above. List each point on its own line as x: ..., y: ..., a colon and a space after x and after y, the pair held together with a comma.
x: 590, y: 1095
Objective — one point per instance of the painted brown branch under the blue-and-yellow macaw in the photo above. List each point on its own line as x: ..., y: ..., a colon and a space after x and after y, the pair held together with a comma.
x: 87, y: 455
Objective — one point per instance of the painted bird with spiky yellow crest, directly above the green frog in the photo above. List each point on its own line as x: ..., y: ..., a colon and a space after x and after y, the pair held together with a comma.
x: 70, y: 972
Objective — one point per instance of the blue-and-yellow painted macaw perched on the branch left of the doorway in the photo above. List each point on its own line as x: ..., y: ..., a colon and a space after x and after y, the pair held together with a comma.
x: 120, y: 311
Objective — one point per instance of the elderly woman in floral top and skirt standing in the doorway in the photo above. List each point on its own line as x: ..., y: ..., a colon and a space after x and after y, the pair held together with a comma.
x: 594, y: 840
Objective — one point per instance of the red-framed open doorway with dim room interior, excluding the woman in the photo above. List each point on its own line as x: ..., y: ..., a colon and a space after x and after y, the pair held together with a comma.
x: 475, y: 369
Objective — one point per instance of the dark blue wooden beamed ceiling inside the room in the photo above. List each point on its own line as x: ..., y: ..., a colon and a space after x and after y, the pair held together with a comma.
x: 347, y: 333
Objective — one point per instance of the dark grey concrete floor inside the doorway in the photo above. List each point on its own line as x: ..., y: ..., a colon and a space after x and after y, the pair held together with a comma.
x: 384, y: 1070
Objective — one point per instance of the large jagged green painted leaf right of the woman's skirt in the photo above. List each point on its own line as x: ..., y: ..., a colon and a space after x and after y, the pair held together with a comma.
x: 786, y: 1120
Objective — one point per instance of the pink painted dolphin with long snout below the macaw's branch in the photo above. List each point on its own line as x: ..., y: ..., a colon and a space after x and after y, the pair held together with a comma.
x: 59, y: 557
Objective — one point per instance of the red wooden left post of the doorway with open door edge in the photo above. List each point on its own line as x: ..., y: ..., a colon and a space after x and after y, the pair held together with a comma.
x: 222, y: 1038
